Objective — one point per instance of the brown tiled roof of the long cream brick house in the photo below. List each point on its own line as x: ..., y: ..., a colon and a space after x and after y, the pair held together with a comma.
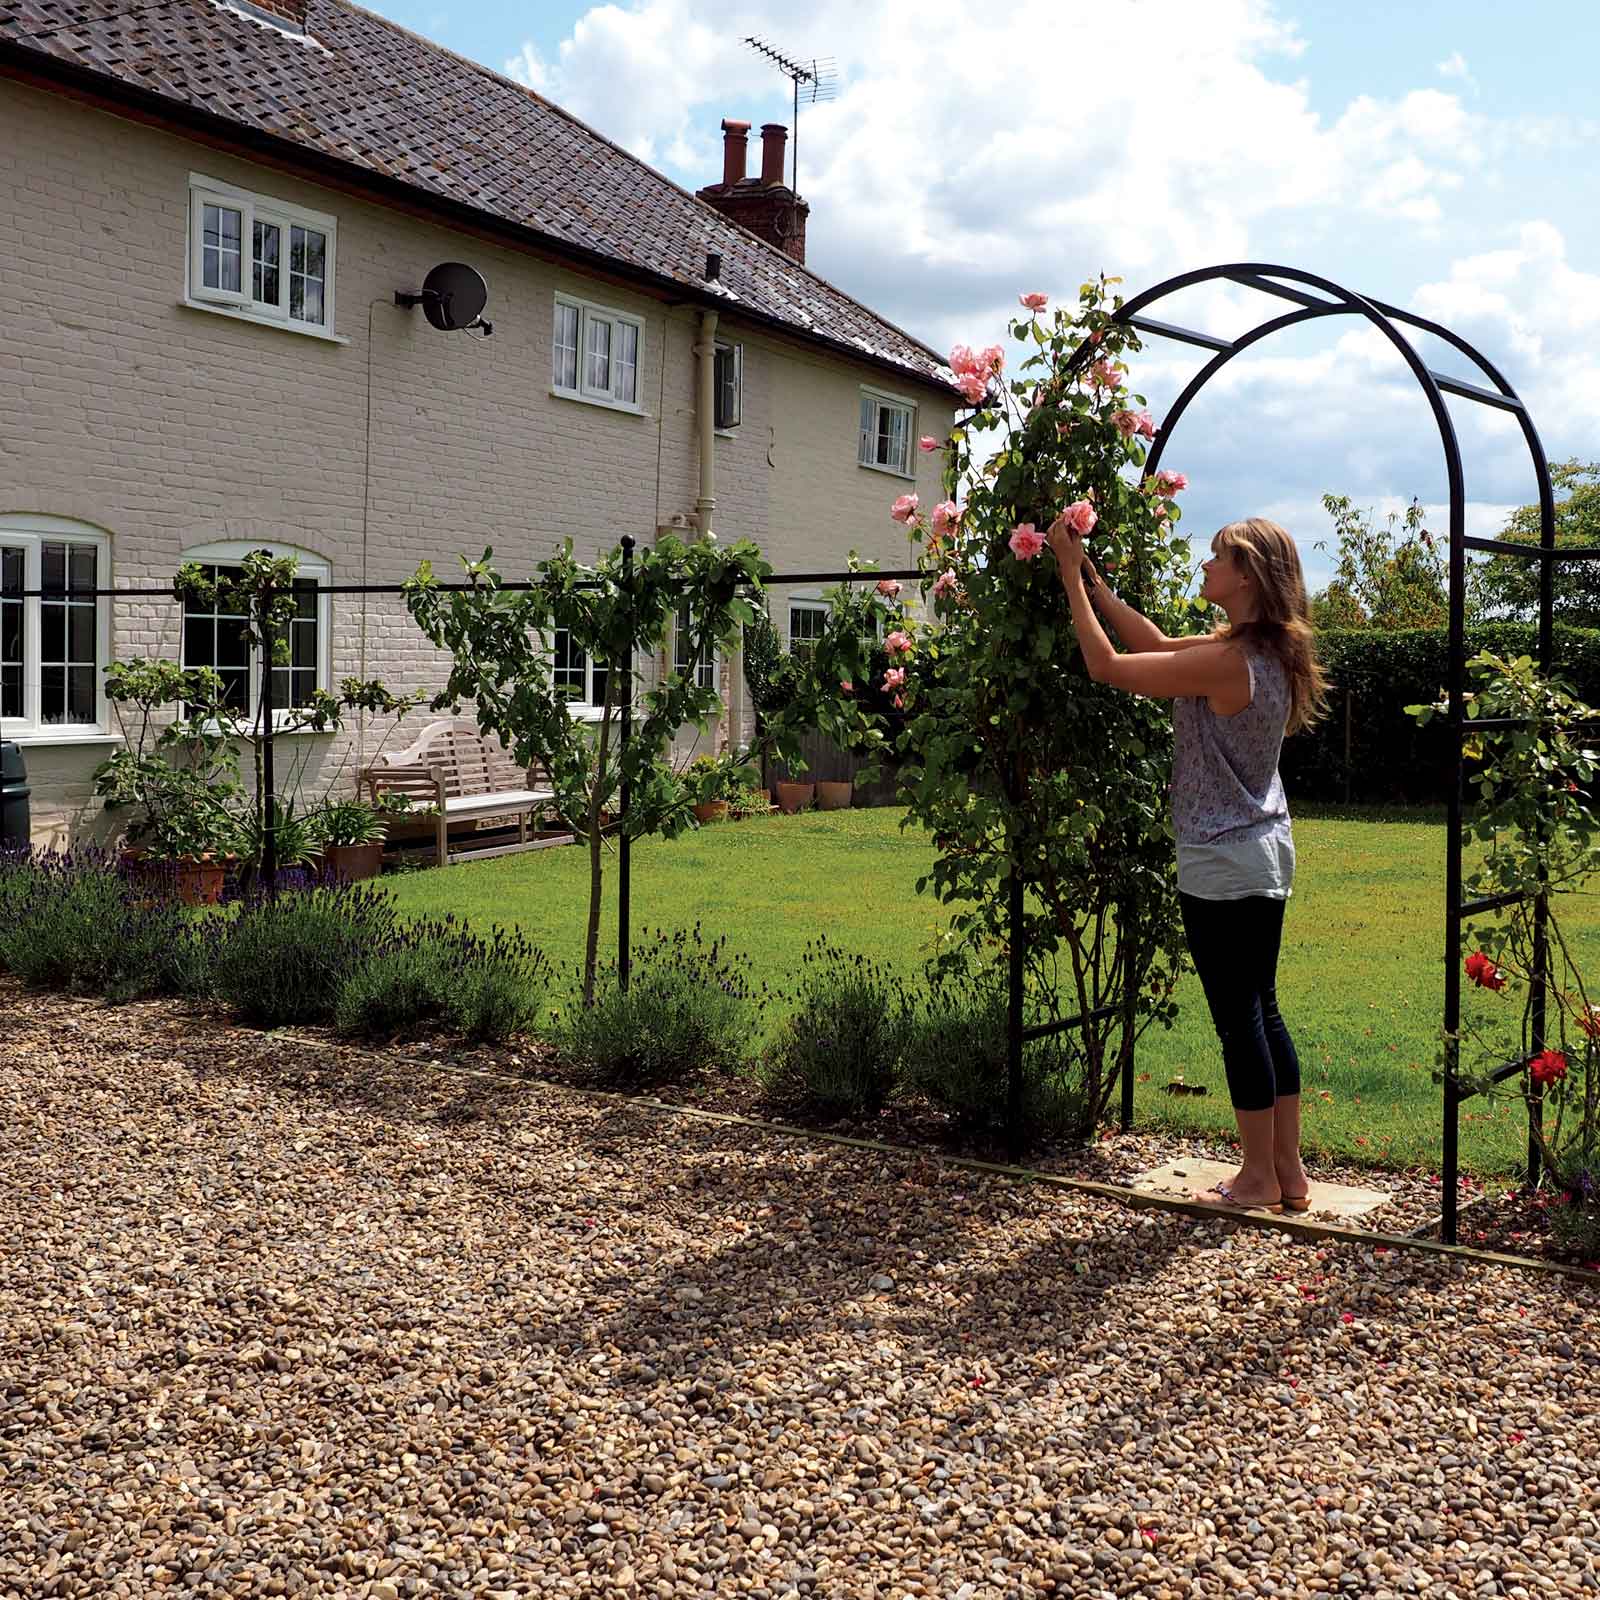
x: 380, y: 102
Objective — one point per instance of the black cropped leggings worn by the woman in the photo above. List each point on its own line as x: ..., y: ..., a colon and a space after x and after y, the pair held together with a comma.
x: 1236, y: 953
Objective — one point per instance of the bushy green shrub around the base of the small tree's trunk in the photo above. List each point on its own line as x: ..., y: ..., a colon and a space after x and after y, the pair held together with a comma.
x: 687, y: 1007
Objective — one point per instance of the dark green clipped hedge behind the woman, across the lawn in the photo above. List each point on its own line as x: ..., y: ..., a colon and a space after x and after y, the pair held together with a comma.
x: 1383, y: 673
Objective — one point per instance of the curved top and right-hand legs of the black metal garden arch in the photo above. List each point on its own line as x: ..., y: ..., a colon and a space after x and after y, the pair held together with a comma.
x: 1316, y: 297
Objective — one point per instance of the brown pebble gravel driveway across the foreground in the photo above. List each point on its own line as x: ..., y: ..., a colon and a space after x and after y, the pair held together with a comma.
x: 284, y: 1322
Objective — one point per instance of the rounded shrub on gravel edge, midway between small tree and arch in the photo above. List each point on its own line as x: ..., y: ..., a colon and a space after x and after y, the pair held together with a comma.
x: 844, y: 1047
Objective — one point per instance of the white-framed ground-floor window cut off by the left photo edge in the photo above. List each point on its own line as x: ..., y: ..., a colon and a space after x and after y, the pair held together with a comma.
x: 54, y: 644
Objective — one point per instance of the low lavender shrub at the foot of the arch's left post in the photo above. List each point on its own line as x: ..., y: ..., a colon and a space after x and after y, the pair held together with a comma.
x: 956, y: 1057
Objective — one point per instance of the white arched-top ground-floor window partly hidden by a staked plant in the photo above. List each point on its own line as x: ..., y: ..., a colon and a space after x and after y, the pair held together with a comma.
x: 214, y: 634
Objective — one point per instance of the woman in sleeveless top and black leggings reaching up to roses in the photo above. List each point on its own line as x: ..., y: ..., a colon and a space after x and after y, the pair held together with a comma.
x: 1236, y: 694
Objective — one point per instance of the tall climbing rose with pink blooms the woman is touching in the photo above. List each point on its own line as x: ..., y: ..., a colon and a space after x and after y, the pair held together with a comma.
x: 1014, y: 758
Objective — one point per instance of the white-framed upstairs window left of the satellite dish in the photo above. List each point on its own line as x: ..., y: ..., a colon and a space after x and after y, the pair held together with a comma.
x: 260, y: 258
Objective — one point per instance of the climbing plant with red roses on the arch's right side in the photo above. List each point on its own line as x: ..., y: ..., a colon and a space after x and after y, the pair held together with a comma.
x: 1534, y: 812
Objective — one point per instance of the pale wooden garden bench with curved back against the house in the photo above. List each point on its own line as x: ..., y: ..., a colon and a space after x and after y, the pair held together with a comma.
x: 468, y: 778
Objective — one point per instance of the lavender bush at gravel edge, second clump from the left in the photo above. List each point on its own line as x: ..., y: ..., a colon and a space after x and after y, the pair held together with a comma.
x: 287, y: 959
